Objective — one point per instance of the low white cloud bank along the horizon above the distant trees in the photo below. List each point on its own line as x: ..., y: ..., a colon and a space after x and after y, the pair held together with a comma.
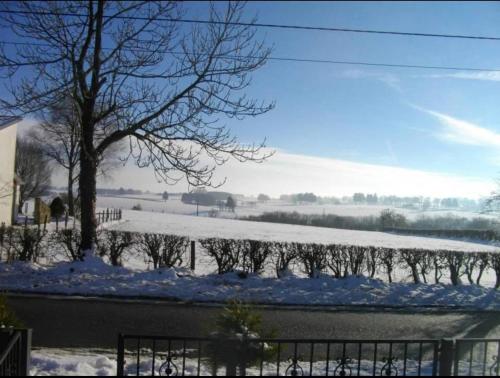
x: 292, y: 173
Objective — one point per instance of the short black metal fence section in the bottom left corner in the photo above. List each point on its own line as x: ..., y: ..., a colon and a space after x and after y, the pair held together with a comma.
x: 15, y: 347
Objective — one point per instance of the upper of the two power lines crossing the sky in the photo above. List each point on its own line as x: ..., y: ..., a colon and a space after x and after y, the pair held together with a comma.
x: 273, y: 26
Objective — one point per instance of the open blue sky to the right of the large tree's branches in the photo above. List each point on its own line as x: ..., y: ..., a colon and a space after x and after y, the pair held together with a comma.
x: 438, y: 122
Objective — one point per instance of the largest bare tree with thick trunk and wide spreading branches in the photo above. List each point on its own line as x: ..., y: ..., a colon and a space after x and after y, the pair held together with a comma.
x: 162, y: 84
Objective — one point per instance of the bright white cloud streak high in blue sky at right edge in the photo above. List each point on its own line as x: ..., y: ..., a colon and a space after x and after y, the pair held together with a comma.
x: 463, y: 132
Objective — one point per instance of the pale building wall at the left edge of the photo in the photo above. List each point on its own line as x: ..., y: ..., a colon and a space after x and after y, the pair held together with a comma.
x: 7, y: 166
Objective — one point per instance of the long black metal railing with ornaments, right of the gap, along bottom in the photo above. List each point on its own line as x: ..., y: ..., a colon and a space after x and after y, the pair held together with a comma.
x: 183, y: 356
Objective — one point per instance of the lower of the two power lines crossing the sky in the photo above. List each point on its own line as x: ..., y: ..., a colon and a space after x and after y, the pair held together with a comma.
x: 298, y: 60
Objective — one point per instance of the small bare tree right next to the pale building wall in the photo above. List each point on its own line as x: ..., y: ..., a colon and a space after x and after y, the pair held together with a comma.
x: 33, y: 168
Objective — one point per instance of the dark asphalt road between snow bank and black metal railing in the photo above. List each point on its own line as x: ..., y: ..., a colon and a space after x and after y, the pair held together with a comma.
x: 93, y: 322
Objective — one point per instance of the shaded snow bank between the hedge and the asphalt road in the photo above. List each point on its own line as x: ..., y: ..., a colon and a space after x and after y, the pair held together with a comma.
x: 99, y: 279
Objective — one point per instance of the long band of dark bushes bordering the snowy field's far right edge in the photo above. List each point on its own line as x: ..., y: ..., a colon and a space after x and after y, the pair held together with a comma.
x: 448, y: 226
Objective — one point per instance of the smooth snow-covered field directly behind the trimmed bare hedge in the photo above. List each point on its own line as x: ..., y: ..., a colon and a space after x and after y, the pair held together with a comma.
x: 203, y: 227
